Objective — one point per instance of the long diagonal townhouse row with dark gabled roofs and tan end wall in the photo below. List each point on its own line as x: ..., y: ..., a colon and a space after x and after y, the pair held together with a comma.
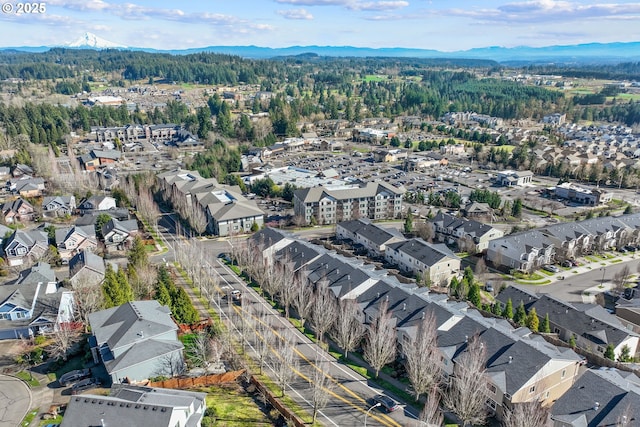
x: 521, y: 366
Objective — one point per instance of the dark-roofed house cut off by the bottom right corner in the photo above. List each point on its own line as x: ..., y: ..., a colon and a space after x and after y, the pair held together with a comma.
x: 603, y: 397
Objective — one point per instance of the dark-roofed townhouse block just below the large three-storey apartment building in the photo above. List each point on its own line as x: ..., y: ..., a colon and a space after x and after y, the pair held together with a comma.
x: 373, y: 238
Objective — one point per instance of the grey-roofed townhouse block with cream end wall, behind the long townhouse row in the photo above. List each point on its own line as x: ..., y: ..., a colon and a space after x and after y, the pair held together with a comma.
x: 433, y: 261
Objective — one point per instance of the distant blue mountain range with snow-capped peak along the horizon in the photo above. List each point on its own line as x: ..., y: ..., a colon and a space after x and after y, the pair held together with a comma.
x: 581, y: 53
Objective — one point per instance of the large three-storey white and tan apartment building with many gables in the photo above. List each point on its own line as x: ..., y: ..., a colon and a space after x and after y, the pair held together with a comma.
x: 329, y: 205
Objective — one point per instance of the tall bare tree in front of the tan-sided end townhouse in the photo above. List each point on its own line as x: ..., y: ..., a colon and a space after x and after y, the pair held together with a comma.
x: 466, y: 394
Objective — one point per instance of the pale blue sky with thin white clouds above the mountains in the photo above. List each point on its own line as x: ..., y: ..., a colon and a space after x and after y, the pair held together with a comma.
x: 429, y: 24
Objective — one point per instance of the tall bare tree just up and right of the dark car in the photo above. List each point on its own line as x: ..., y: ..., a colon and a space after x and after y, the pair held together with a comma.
x: 423, y: 358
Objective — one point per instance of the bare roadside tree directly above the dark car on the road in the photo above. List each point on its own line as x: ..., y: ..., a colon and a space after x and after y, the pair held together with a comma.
x: 380, y: 339
